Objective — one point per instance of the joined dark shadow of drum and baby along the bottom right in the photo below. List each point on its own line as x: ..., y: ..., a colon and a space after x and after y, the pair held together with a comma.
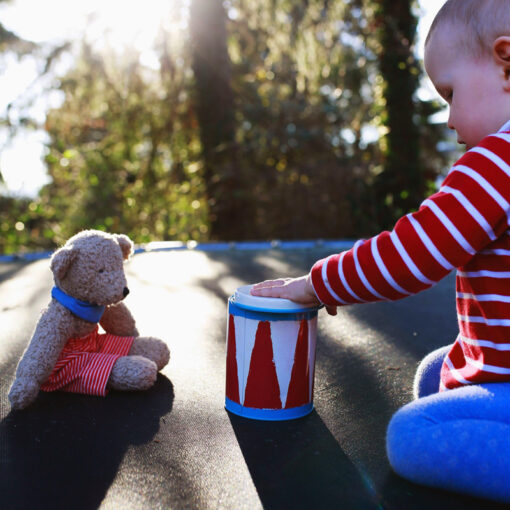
x: 300, y: 464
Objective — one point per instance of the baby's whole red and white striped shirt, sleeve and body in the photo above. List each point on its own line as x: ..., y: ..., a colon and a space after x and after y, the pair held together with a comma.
x: 465, y: 225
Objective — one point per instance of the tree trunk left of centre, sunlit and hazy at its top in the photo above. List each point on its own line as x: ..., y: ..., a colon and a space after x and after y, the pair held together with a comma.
x: 215, y: 112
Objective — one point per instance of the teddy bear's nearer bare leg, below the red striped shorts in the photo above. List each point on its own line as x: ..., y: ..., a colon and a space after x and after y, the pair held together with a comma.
x: 133, y: 373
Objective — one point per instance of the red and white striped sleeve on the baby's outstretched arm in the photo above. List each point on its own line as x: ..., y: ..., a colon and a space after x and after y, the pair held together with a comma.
x: 470, y: 210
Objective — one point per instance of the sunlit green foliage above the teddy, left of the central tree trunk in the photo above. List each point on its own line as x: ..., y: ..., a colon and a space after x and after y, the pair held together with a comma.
x: 124, y: 155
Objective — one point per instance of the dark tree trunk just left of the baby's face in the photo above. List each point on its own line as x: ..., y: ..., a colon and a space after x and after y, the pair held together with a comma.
x: 401, y: 186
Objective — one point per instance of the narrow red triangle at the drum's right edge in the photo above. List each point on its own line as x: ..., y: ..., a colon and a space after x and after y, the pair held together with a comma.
x: 299, y: 386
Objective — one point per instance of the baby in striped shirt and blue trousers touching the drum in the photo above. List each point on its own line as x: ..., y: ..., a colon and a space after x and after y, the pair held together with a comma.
x: 460, y: 439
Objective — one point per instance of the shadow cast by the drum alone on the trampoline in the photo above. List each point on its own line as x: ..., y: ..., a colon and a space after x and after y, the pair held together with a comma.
x: 299, y: 464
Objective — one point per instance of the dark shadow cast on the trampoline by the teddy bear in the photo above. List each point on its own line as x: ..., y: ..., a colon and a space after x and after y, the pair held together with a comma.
x: 68, y: 447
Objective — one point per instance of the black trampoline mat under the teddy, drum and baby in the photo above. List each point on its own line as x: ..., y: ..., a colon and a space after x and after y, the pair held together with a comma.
x: 175, y: 446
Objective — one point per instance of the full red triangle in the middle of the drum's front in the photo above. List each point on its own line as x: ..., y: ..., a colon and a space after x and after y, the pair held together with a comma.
x: 262, y: 388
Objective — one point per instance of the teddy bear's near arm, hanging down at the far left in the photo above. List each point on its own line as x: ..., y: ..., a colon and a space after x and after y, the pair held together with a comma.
x: 48, y: 340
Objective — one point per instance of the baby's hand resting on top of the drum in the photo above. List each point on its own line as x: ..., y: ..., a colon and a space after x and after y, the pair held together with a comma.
x: 299, y: 290
